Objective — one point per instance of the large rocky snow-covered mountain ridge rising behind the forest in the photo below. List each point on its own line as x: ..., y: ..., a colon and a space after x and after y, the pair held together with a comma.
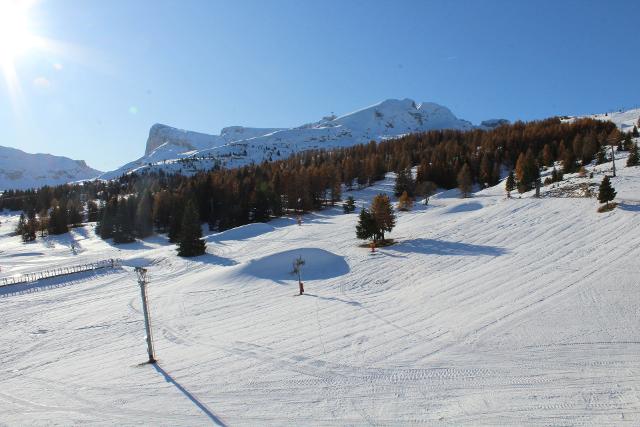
x: 188, y: 152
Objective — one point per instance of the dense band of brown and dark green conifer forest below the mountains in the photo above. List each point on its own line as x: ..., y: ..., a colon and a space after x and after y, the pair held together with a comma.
x: 134, y: 206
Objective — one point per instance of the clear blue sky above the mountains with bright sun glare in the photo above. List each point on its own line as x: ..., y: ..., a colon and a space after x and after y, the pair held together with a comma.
x: 123, y: 65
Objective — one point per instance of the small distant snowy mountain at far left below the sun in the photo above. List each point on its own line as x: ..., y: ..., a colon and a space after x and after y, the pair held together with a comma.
x: 20, y: 170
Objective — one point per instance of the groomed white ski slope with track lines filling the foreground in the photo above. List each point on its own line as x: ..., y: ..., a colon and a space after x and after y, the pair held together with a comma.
x: 487, y: 311
